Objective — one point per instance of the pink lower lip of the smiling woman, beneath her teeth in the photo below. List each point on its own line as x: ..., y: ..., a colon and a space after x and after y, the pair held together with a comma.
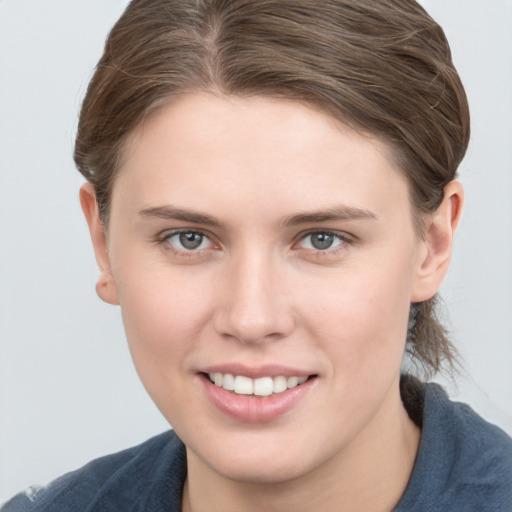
x: 255, y: 409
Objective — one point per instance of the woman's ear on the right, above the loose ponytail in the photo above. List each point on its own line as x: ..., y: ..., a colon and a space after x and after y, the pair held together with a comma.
x: 435, y: 258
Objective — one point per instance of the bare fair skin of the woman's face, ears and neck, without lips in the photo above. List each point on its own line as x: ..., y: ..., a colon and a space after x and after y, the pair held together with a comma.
x: 257, y: 292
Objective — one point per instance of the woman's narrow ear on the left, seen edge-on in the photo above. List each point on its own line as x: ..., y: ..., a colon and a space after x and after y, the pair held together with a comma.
x: 105, y: 287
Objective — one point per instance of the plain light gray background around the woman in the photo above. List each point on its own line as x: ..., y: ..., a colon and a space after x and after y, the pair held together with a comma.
x: 68, y: 391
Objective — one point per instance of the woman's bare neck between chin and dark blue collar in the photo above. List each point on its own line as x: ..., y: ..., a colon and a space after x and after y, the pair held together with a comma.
x: 370, y: 474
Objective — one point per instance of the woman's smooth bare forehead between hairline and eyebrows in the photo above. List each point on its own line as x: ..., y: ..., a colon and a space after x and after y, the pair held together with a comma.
x: 205, y: 149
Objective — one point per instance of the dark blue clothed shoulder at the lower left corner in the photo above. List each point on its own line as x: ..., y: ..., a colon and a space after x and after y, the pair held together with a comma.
x: 131, y: 480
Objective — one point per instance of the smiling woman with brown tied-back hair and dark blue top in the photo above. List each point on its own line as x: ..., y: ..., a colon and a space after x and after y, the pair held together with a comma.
x: 272, y: 199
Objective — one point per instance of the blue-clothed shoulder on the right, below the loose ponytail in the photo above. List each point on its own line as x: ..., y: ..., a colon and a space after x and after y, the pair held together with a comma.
x: 464, y: 463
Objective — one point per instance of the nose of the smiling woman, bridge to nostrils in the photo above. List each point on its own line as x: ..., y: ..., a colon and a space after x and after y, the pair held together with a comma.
x: 254, y: 306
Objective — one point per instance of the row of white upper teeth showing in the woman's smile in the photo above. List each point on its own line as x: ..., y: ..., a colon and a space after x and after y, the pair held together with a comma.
x: 264, y: 386
